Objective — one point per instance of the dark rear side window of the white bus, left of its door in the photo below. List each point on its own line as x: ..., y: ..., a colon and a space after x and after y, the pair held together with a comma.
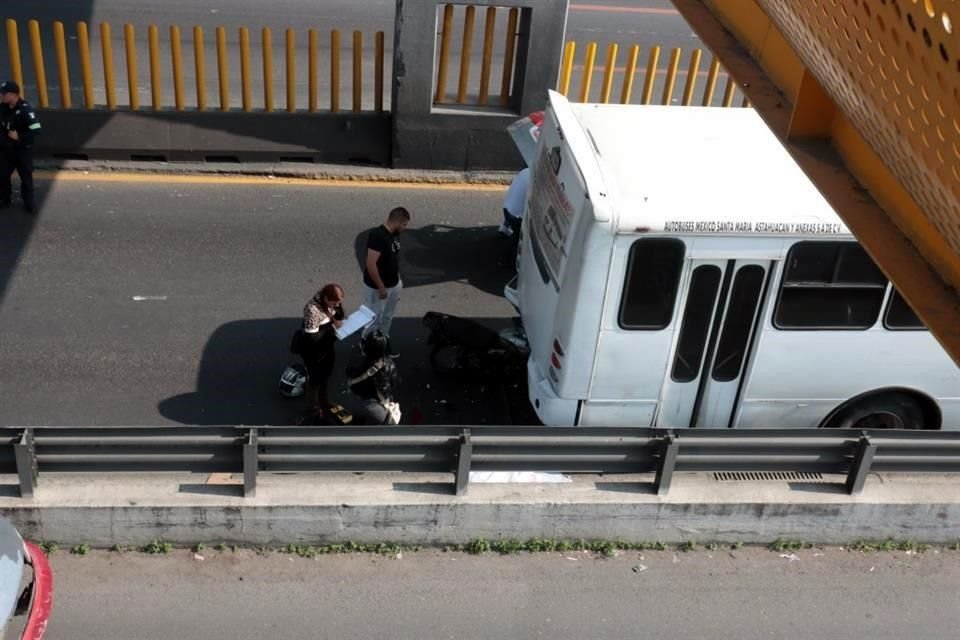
x: 650, y: 288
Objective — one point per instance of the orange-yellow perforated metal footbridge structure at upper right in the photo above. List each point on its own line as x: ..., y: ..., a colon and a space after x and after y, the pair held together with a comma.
x: 864, y: 94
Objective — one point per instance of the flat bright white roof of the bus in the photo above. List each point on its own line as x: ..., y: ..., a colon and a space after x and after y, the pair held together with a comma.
x: 697, y: 170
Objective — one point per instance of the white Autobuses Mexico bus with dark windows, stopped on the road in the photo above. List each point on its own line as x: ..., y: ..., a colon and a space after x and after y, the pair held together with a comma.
x: 677, y: 269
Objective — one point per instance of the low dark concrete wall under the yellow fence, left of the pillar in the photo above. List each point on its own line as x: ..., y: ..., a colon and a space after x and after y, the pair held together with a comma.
x: 363, y: 138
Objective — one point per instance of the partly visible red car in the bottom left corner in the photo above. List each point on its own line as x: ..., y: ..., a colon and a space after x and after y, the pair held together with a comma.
x: 36, y: 599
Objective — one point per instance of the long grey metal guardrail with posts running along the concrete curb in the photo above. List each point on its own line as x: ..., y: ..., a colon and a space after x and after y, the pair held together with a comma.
x: 32, y: 451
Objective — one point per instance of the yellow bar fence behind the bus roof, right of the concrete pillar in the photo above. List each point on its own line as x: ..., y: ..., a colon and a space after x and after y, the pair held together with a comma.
x: 660, y: 85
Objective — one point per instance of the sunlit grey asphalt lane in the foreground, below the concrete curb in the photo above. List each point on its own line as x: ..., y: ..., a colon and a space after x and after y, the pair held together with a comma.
x: 744, y: 595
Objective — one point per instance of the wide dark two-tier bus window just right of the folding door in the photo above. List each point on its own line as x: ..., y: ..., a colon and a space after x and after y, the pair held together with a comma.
x: 829, y: 285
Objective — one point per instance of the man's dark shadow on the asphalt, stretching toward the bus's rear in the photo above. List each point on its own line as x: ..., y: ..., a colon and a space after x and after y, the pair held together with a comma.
x: 436, y: 253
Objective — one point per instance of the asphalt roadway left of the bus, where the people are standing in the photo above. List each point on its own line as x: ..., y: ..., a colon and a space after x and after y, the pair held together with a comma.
x: 129, y: 303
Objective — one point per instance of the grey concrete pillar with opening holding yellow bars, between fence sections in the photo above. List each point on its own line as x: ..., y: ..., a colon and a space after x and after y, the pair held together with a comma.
x: 429, y: 137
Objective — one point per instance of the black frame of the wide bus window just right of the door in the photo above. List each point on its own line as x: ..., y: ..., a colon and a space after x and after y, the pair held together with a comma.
x: 842, y: 251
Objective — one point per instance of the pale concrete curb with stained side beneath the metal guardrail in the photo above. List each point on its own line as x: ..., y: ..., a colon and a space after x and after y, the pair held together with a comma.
x: 135, y: 509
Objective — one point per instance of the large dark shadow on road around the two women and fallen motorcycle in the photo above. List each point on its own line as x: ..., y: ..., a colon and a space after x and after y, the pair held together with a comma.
x: 241, y: 363
